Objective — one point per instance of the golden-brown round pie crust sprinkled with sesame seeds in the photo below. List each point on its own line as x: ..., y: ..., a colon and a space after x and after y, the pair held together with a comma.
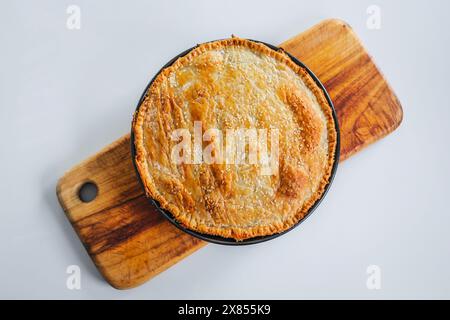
x: 232, y: 84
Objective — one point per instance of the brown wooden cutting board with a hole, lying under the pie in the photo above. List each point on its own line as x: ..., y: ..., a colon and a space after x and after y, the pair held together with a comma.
x: 130, y: 242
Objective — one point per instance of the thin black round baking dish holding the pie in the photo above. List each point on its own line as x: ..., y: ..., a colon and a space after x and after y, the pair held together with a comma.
x: 231, y: 241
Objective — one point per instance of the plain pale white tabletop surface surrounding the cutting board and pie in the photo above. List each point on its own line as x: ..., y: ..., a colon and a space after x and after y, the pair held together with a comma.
x: 65, y: 94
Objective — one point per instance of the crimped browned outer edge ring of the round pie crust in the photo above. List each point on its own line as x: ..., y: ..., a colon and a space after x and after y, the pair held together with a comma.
x: 237, y: 233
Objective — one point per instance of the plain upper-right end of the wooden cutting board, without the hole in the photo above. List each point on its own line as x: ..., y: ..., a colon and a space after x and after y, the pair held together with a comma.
x: 367, y: 107
